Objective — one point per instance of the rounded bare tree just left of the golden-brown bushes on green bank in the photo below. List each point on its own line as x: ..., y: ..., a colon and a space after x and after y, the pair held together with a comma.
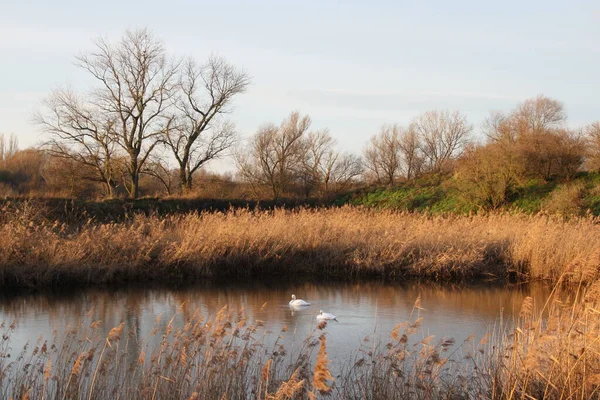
x: 443, y: 136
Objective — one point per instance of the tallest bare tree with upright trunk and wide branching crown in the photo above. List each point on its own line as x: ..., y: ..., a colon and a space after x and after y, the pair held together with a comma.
x: 136, y: 85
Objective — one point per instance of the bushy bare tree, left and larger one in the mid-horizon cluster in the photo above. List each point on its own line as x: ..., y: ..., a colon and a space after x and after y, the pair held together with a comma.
x: 276, y: 155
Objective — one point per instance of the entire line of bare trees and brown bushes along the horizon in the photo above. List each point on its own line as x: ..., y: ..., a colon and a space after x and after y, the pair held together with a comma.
x: 153, y: 122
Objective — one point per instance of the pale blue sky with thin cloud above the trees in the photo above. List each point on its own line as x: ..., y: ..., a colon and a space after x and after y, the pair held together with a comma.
x: 351, y: 65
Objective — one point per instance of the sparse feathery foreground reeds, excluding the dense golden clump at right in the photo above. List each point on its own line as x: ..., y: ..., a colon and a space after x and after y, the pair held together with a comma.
x: 229, y: 357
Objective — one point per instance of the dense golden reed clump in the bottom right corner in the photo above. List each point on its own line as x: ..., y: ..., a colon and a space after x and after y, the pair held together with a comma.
x: 555, y: 356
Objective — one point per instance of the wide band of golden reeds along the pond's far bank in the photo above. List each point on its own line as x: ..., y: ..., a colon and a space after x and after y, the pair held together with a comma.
x: 340, y: 242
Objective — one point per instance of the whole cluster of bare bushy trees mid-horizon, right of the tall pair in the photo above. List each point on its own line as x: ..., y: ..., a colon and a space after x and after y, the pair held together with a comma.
x: 291, y: 159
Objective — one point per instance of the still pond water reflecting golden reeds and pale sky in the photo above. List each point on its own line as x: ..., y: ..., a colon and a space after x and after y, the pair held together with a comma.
x: 363, y: 309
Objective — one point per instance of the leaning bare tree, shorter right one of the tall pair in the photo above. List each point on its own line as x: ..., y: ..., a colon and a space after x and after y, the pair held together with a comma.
x: 200, y: 135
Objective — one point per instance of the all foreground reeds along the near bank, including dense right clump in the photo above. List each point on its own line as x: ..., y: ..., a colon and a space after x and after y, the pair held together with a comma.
x: 228, y: 356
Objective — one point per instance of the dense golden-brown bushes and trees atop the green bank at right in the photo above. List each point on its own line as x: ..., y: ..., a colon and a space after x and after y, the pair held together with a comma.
x: 531, y: 142
